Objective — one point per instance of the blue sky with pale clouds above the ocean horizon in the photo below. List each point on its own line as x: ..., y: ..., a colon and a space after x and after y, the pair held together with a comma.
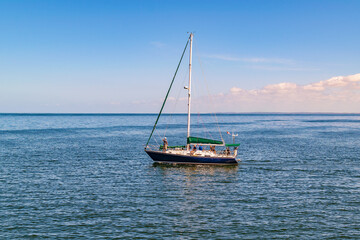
x: 120, y: 56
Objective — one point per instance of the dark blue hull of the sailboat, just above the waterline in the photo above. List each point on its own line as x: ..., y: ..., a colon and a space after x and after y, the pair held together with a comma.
x: 172, y: 158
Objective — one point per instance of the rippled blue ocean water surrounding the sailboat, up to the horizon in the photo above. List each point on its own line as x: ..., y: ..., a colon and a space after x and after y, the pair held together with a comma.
x: 87, y: 177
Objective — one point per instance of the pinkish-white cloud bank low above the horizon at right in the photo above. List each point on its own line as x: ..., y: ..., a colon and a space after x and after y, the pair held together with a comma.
x: 337, y: 94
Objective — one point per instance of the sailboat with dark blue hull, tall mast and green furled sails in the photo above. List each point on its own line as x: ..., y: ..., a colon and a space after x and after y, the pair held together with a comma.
x: 197, y: 150
